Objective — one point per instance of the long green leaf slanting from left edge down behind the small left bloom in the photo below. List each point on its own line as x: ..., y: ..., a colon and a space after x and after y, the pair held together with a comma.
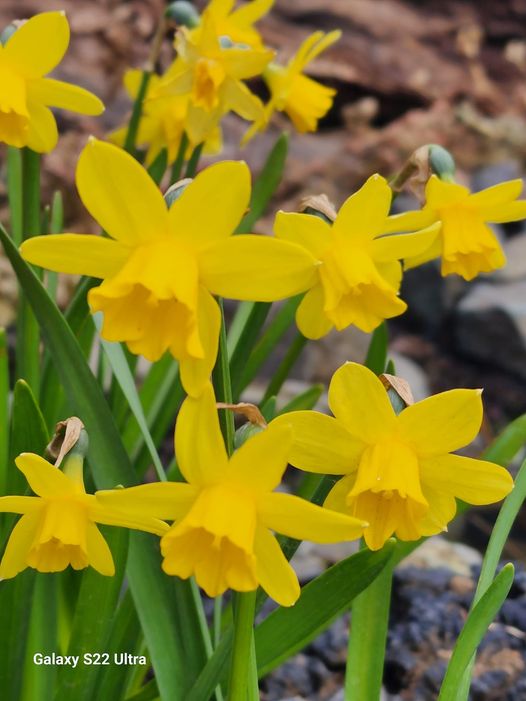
x: 111, y: 466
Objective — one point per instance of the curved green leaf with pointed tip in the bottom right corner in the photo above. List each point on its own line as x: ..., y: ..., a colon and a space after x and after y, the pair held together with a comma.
x: 475, y: 627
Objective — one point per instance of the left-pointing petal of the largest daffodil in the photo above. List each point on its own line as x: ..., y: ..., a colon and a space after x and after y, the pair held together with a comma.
x: 76, y: 254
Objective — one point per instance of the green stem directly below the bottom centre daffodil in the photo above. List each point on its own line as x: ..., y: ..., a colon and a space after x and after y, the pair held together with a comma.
x: 244, y: 610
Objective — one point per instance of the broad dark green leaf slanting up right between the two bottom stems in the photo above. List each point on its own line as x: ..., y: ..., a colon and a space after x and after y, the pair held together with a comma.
x: 288, y: 630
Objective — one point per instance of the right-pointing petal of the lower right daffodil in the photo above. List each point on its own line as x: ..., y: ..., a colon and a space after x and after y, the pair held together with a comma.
x: 474, y: 481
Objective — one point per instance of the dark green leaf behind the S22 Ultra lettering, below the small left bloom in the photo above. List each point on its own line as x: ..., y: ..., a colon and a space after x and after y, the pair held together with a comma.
x: 92, y: 622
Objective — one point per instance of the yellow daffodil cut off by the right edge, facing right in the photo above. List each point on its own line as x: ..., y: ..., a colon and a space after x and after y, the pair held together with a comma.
x: 466, y: 245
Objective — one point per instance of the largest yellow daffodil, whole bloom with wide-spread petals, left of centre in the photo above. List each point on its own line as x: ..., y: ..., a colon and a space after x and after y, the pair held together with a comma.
x: 161, y: 267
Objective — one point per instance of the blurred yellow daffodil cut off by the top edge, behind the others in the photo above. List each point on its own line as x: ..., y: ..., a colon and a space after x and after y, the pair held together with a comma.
x: 237, y: 23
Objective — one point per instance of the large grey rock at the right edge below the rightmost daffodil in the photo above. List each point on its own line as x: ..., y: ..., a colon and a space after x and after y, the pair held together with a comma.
x: 490, y: 325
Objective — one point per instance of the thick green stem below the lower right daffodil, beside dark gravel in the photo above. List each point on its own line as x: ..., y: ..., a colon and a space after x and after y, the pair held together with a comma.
x: 367, y: 639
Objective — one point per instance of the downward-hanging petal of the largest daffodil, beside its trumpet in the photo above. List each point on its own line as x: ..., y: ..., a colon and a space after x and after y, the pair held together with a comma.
x: 195, y: 372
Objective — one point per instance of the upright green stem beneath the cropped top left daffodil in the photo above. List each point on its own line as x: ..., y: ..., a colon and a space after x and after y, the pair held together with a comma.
x: 28, y: 336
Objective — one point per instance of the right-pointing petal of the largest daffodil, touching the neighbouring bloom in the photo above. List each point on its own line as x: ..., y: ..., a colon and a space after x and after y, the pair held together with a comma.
x: 256, y: 268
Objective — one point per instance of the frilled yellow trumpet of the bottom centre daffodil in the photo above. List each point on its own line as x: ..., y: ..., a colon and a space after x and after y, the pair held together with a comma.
x: 214, y: 541
